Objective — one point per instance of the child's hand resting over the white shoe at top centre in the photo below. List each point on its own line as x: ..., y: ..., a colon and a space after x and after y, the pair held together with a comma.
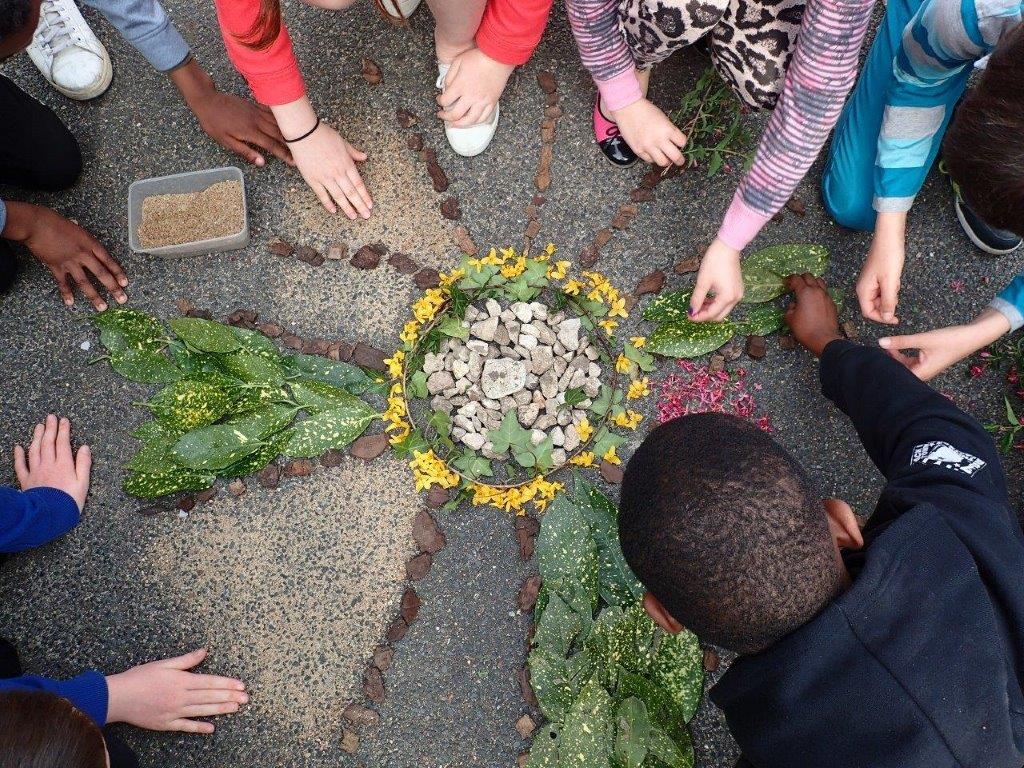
x: 473, y: 89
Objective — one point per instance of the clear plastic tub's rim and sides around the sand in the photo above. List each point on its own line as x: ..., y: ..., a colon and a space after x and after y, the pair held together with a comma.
x: 182, y: 184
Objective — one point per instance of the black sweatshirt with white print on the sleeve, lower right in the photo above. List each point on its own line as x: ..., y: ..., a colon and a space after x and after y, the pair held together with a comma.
x: 920, y: 664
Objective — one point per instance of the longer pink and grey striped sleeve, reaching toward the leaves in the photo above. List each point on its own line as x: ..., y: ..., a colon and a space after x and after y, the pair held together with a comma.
x: 823, y: 72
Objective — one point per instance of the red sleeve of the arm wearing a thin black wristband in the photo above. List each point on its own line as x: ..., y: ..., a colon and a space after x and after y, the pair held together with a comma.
x: 273, y: 74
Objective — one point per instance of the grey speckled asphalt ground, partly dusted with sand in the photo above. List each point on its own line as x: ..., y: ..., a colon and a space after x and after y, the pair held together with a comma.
x: 103, y: 596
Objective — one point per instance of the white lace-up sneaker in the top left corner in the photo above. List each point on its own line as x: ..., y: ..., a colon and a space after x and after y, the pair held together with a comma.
x: 67, y: 53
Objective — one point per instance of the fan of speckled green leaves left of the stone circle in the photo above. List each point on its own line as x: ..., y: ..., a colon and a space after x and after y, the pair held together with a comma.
x: 230, y: 402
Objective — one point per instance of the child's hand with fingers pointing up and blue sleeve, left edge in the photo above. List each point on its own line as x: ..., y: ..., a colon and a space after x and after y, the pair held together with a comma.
x: 55, y: 484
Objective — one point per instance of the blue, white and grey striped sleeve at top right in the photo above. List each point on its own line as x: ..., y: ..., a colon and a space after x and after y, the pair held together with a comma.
x: 930, y: 73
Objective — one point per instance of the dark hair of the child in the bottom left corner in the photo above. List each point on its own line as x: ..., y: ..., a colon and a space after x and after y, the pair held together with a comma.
x: 44, y: 731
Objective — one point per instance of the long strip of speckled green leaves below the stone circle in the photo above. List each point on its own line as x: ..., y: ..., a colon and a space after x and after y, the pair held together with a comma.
x: 616, y: 690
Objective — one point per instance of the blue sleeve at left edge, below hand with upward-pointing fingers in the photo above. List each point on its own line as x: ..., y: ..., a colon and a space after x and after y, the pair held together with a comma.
x: 31, y: 519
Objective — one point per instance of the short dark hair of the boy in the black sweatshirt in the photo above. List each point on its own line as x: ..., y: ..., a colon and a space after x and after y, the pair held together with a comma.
x: 720, y: 525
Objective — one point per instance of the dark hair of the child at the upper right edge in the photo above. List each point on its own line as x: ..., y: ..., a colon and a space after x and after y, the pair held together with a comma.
x: 985, y: 146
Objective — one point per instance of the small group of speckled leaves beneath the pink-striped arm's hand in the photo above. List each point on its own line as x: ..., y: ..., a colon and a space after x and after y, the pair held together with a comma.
x: 764, y: 281
